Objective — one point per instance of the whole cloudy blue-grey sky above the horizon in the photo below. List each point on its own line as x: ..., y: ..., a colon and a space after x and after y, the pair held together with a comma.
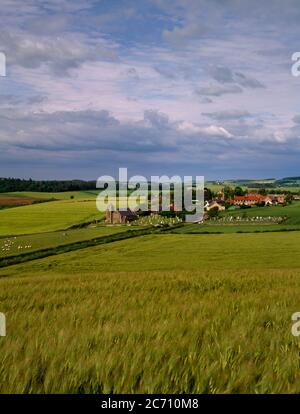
x: 173, y: 87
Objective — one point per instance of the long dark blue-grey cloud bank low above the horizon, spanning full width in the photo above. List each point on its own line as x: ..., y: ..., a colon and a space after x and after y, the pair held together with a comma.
x: 91, y: 138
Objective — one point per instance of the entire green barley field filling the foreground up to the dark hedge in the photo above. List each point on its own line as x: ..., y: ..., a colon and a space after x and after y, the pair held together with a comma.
x: 165, y: 313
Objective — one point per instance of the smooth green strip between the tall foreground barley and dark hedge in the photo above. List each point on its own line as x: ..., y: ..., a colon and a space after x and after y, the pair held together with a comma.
x: 179, y: 252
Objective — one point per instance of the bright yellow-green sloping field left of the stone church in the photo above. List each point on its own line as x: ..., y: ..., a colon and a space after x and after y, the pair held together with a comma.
x: 48, y: 216
